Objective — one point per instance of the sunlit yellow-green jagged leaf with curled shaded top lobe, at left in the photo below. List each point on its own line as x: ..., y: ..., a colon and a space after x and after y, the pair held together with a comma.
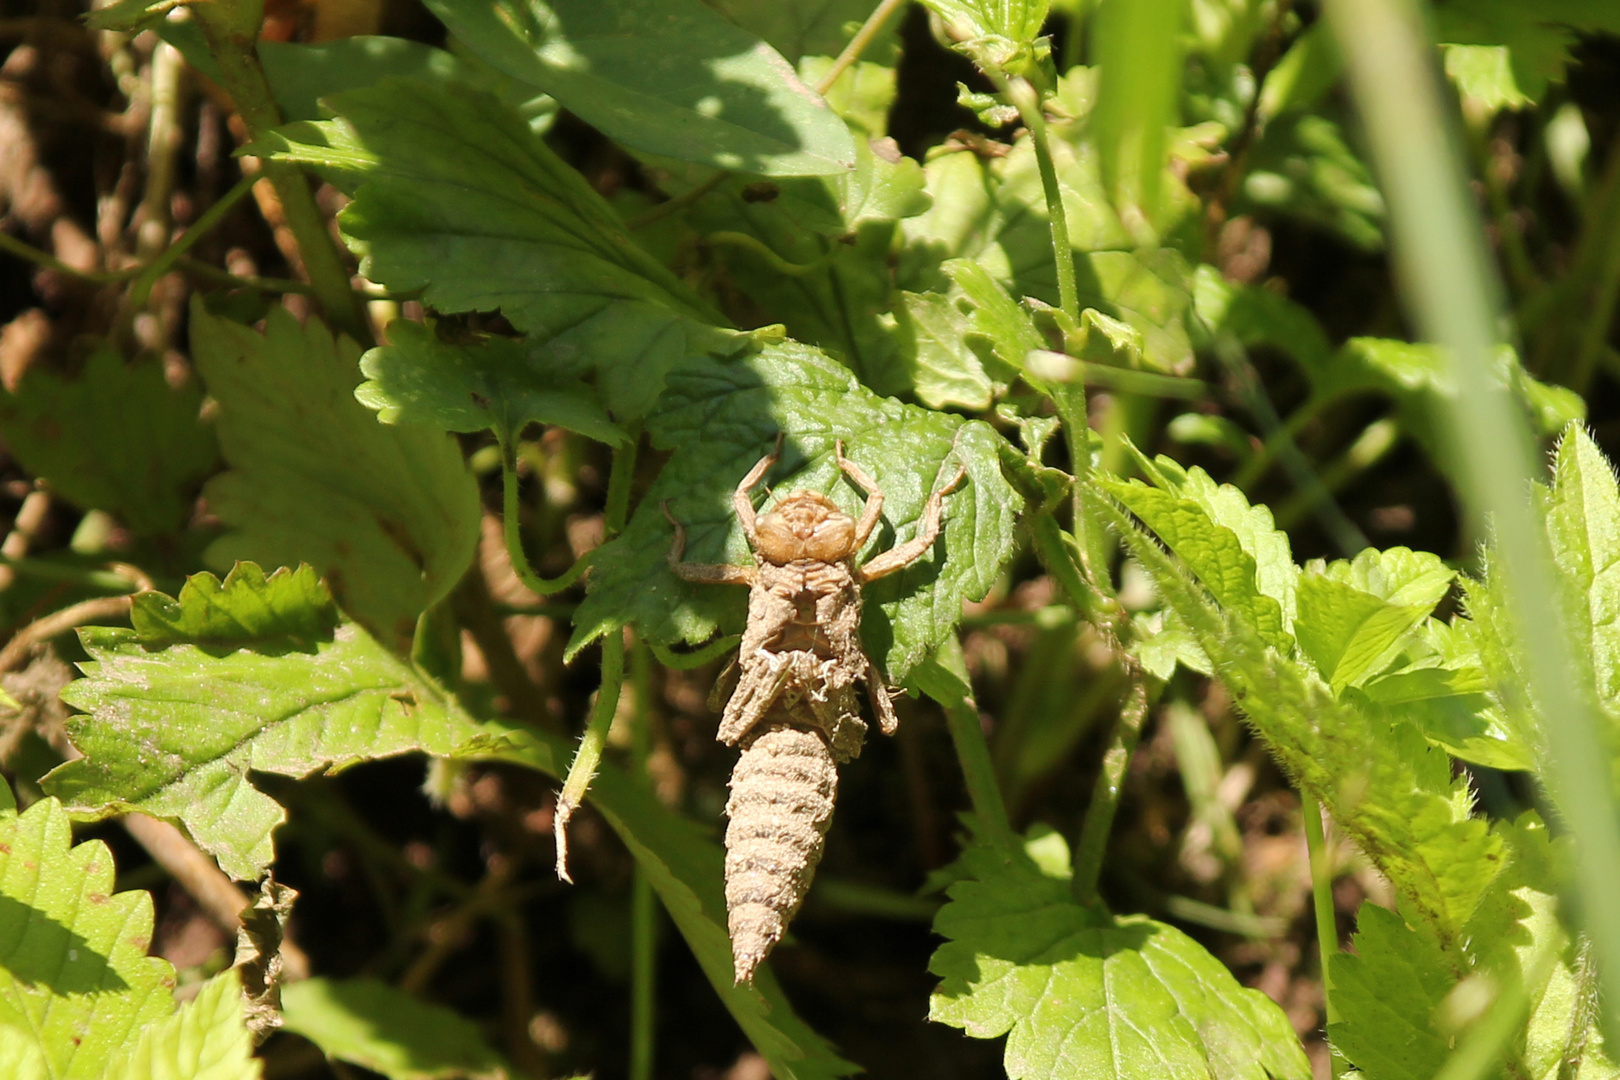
x: 174, y: 728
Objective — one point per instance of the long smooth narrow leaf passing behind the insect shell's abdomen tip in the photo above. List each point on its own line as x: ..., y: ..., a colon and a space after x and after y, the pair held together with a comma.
x: 686, y: 869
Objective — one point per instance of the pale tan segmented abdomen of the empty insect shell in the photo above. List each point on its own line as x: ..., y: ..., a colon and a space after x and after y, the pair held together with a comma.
x: 782, y: 804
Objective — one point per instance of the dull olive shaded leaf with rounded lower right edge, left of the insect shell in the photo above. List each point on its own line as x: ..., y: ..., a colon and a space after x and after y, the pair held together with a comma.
x: 390, y: 516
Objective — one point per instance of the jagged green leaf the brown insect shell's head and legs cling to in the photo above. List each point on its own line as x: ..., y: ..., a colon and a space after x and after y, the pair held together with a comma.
x: 720, y: 417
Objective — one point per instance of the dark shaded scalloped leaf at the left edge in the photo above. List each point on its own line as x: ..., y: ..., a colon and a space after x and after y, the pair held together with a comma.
x: 117, y: 438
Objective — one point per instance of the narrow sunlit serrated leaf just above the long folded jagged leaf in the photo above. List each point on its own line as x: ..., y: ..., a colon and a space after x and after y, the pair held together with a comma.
x: 1213, y: 551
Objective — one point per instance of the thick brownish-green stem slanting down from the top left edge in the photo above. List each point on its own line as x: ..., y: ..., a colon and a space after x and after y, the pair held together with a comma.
x: 231, y: 32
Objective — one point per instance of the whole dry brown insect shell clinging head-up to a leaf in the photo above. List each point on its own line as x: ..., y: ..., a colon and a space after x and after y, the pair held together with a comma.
x: 795, y: 712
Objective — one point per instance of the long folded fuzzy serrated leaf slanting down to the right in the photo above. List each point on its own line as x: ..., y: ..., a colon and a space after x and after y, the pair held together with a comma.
x: 1383, y: 783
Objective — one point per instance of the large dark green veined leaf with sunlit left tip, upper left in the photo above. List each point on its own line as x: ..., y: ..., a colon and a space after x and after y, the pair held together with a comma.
x: 458, y: 198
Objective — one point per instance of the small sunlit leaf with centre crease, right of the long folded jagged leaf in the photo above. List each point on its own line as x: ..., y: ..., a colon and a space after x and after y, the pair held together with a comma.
x: 1357, y: 616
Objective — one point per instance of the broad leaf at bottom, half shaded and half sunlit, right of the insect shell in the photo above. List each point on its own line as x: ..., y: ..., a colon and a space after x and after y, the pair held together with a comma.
x: 1081, y: 993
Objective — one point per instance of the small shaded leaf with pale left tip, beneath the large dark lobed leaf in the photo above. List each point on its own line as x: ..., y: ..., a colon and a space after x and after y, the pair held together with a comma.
x: 493, y: 386
